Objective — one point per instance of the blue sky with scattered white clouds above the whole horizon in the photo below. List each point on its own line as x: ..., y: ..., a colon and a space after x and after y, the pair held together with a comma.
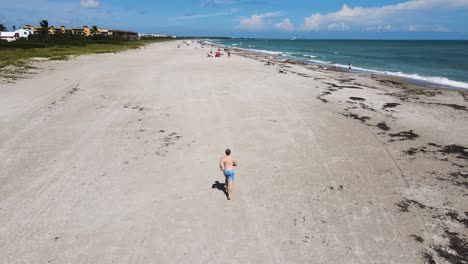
x: 376, y: 19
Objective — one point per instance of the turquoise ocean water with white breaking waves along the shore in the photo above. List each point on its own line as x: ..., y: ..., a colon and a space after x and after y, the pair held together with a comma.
x: 442, y: 63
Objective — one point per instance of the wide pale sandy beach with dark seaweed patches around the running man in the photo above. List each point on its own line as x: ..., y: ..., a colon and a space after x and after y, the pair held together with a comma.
x: 113, y: 158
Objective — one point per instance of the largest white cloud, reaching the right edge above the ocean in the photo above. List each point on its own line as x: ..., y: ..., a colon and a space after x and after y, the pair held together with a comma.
x: 374, y: 18
